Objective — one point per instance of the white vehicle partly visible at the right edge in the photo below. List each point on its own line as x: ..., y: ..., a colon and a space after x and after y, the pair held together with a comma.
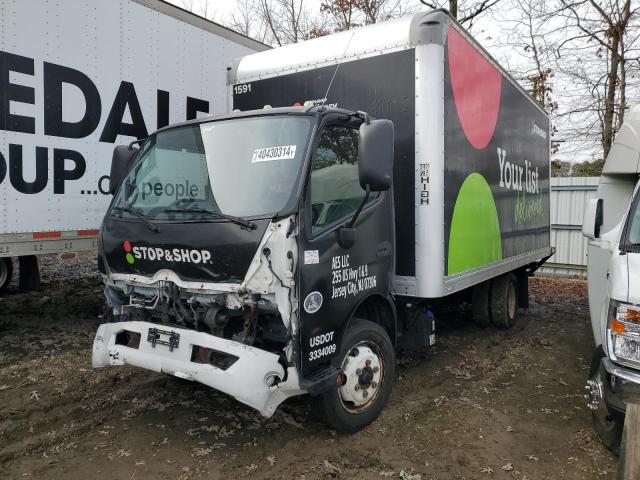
x: 612, y: 225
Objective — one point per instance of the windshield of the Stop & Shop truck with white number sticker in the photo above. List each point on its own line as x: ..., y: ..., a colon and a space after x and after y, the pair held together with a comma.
x: 243, y: 167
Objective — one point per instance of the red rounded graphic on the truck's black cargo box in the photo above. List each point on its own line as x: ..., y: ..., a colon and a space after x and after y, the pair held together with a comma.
x: 476, y: 86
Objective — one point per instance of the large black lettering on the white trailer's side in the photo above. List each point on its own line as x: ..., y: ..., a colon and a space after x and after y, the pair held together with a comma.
x: 69, y: 165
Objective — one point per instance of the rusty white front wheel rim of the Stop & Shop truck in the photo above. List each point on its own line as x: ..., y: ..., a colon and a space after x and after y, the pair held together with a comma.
x: 363, y: 367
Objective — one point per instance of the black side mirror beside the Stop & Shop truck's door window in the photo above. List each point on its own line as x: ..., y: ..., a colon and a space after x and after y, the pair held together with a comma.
x: 375, y: 155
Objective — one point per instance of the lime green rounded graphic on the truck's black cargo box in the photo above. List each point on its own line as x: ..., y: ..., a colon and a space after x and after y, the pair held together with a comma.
x: 474, y: 239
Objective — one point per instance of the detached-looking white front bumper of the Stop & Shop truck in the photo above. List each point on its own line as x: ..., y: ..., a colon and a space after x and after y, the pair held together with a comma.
x: 248, y: 379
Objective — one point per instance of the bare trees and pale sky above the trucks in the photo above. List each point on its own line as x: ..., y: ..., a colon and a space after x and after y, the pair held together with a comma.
x: 579, y: 59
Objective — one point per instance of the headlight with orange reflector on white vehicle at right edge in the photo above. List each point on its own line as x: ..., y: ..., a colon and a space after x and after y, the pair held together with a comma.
x: 623, y: 328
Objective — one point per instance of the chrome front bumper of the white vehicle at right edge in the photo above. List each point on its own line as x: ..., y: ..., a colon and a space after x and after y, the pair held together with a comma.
x: 620, y: 385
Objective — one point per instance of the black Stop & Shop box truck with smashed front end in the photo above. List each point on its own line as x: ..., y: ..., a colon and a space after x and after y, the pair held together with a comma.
x: 295, y: 245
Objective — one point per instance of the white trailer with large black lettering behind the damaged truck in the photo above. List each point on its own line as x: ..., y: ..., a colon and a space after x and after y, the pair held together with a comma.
x: 75, y: 78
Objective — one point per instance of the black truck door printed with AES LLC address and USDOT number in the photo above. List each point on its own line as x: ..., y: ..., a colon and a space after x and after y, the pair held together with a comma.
x: 335, y: 280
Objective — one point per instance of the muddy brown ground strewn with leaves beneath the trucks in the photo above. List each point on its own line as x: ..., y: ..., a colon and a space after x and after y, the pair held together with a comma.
x: 484, y: 404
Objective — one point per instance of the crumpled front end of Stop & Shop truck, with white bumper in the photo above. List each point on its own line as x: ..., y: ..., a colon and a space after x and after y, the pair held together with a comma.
x: 238, y: 338
